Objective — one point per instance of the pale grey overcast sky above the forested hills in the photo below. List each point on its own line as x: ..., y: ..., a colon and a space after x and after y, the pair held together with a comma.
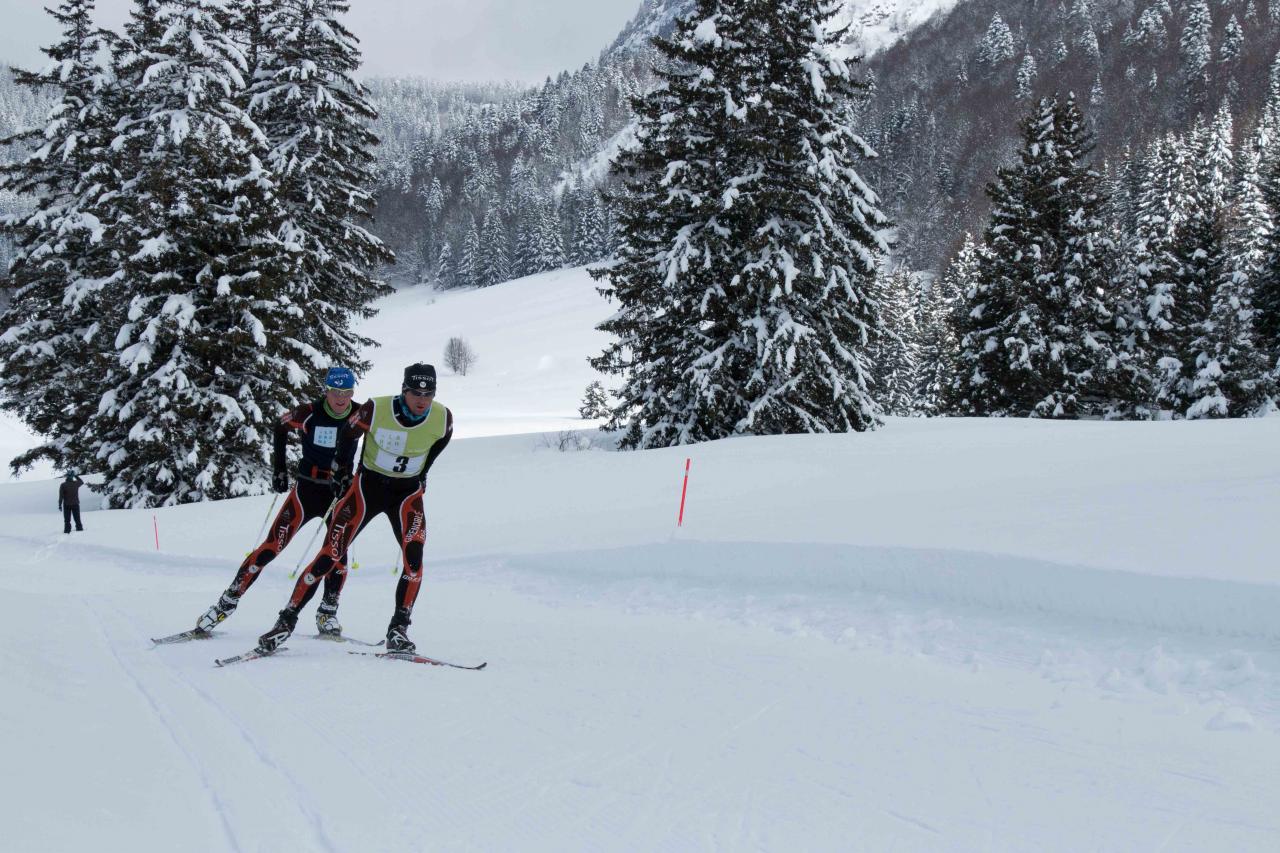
x: 516, y: 40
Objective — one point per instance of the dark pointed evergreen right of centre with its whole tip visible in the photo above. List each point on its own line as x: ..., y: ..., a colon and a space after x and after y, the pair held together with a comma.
x: 1040, y: 329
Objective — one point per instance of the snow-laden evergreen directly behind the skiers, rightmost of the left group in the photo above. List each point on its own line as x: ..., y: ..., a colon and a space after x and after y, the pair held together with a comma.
x: 316, y: 117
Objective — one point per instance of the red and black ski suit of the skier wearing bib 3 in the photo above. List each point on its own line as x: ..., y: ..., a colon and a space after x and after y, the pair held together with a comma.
x: 369, y: 496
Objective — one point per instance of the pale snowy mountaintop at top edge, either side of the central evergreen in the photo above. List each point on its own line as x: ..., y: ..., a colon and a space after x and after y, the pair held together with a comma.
x: 872, y: 25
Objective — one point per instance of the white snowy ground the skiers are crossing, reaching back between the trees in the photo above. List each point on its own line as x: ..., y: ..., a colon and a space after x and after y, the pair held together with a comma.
x: 944, y: 636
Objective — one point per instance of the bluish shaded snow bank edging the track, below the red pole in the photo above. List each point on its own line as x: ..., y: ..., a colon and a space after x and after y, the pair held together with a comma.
x: 829, y: 573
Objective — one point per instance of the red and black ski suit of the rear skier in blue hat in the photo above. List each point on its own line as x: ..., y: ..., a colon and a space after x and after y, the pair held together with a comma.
x: 328, y: 453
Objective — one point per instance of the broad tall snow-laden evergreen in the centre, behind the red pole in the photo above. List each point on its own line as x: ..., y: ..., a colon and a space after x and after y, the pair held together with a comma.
x: 751, y: 243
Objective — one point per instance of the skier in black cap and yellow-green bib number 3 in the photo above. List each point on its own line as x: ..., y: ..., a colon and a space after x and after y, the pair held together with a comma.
x: 404, y: 437
